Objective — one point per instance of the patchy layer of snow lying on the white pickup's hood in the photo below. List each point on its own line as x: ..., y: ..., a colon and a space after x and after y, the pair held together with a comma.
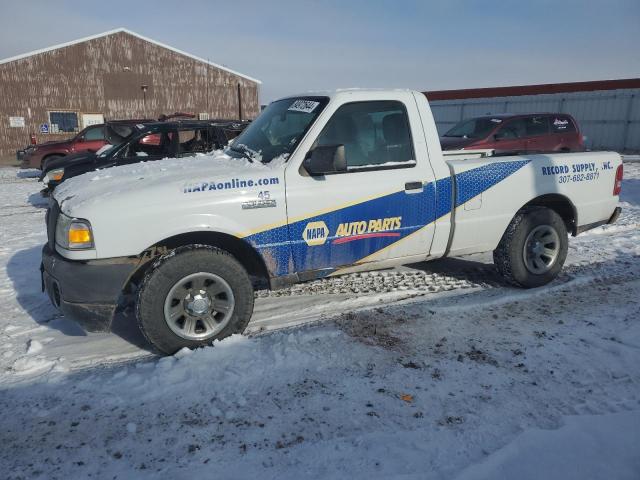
x: 93, y: 187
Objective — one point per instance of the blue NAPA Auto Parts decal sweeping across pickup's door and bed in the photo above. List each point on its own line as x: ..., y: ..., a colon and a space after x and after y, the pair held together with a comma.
x: 288, y: 248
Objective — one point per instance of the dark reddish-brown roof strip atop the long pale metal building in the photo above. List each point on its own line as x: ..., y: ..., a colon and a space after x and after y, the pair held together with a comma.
x: 533, y: 89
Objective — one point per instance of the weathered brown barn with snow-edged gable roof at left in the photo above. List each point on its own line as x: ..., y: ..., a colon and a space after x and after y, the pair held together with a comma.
x: 55, y: 92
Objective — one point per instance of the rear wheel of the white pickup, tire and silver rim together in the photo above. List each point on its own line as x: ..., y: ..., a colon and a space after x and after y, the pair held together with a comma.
x: 533, y: 248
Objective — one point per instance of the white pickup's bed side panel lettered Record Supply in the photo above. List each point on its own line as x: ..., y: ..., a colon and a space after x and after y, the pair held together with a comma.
x: 583, y: 181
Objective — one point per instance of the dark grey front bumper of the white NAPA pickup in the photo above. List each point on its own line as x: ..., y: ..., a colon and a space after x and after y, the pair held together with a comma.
x: 85, y: 291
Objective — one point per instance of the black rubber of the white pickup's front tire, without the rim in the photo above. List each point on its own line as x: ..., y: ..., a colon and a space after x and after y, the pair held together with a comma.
x: 168, y: 271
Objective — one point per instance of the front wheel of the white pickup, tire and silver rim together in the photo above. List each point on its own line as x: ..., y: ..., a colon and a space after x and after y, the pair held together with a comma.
x: 192, y: 296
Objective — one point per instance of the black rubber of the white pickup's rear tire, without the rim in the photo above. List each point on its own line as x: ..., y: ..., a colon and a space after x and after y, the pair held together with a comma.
x: 509, y: 256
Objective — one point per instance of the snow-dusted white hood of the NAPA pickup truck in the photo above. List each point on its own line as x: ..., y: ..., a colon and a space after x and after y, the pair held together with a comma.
x: 157, y: 182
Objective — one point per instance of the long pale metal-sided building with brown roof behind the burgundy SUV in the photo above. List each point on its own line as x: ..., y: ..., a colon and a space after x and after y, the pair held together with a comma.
x: 608, y: 111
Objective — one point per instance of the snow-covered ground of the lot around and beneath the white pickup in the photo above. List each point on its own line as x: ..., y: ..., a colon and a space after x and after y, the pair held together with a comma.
x: 433, y: 371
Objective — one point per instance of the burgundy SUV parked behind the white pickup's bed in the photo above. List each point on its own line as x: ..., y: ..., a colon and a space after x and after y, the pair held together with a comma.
x: 535, y: 132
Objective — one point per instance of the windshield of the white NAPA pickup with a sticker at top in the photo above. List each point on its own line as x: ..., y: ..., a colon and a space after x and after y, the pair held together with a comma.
x: 278, y: 129
